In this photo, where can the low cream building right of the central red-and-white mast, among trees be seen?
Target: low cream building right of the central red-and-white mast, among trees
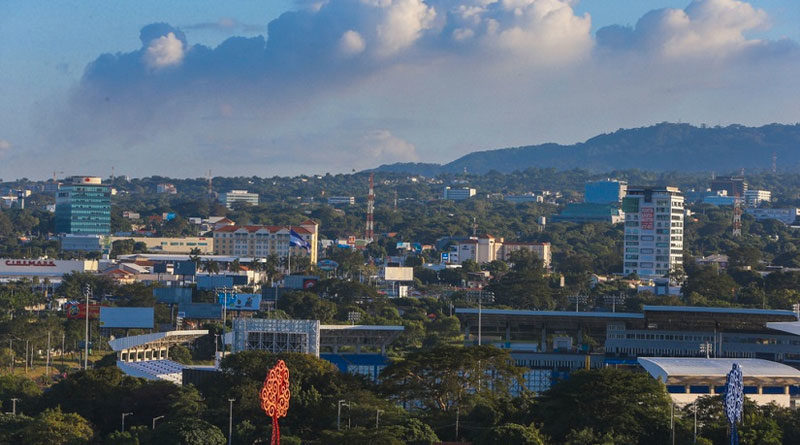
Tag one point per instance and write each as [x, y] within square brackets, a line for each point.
[488, 248]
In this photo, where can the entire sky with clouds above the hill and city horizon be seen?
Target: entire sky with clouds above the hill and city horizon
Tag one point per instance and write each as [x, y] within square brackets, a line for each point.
[351, 84]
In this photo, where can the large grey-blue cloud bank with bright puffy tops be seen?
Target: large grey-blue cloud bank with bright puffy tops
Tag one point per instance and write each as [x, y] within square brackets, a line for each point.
[353, 83]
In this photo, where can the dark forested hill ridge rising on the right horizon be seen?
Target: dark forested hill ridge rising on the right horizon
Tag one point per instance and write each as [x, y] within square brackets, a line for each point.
[662, 147]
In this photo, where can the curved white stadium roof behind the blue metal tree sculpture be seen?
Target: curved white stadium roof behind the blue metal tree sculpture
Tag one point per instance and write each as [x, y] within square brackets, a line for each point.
[687, 371]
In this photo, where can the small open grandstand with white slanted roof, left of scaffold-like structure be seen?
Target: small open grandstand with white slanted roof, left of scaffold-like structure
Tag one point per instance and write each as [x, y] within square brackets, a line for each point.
[147, 355]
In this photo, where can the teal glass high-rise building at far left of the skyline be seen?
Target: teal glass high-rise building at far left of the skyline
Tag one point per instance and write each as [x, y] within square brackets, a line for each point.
[83, 206]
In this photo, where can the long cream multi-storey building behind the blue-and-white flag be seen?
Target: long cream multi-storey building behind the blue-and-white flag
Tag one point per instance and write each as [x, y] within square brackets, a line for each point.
[261, 241]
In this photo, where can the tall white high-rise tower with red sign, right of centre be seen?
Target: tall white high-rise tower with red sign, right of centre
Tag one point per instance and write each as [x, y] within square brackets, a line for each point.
[653, 231]
